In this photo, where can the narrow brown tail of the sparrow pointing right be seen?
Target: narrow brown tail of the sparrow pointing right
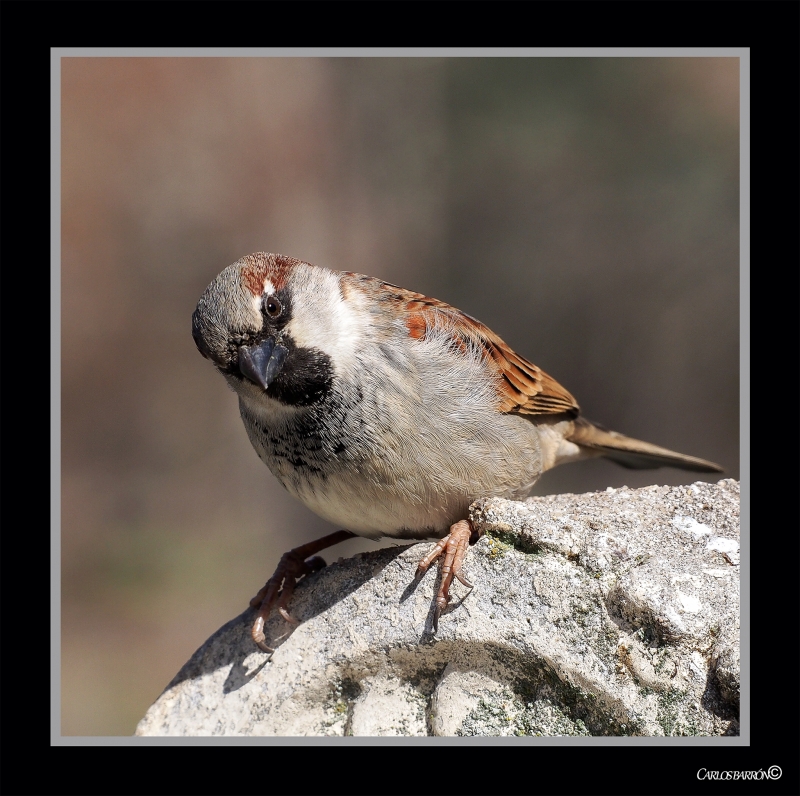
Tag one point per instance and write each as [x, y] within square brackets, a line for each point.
[633, 453]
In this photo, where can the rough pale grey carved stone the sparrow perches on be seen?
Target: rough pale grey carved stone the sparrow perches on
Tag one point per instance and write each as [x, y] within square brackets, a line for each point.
[611, 613]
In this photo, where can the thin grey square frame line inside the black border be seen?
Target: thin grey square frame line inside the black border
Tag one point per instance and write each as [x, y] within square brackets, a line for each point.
[57, 53]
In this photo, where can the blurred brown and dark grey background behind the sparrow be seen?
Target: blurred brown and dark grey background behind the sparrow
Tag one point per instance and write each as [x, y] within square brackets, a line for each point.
[585, 209]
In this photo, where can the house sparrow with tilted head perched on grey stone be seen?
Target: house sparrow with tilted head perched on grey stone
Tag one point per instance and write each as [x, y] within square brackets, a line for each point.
[387, 412]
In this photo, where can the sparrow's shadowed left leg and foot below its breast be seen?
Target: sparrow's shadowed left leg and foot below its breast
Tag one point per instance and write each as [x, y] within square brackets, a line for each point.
[279, 588]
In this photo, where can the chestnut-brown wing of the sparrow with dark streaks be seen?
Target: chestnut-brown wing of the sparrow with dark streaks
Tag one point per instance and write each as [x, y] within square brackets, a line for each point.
[523, 389]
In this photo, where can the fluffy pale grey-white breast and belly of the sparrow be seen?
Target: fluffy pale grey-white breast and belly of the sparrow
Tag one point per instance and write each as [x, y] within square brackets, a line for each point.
[422, 440]
